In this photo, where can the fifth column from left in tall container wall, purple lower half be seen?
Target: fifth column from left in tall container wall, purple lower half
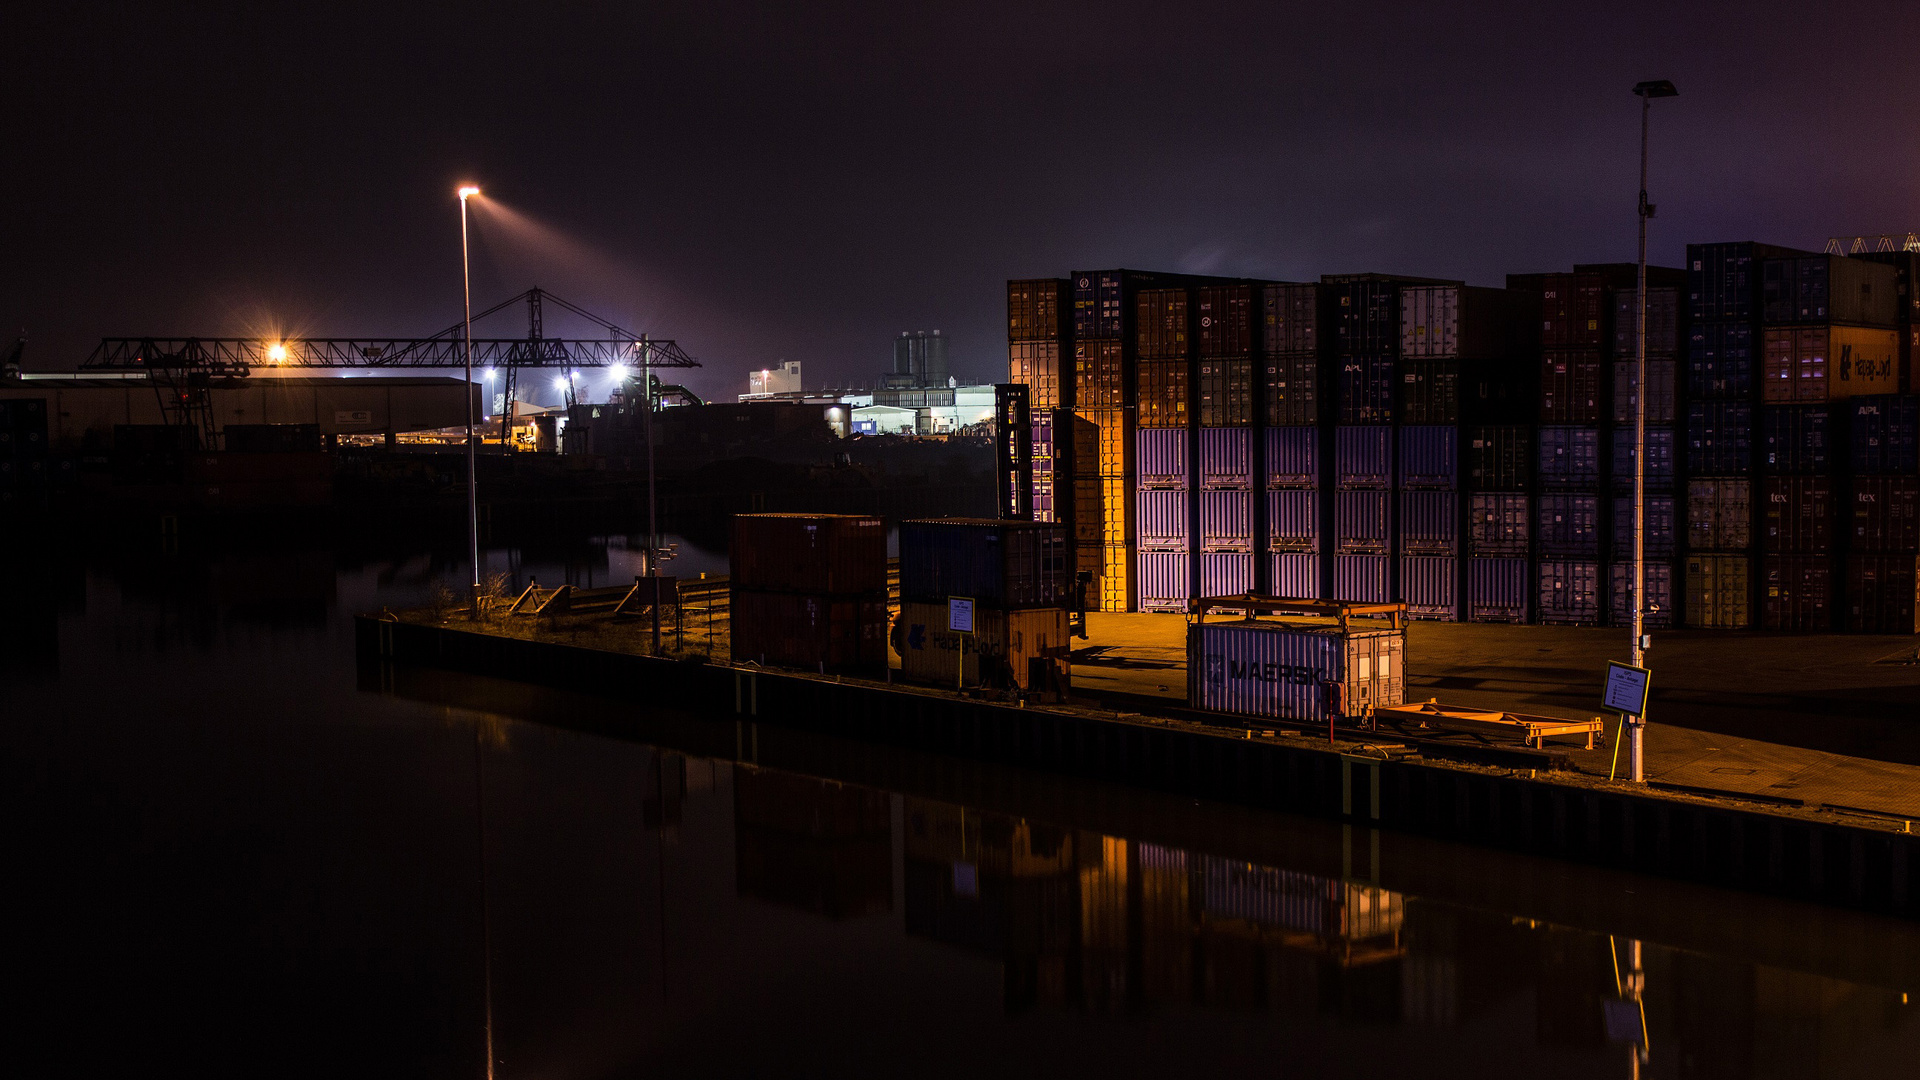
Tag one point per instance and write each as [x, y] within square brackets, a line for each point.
[1291, 405]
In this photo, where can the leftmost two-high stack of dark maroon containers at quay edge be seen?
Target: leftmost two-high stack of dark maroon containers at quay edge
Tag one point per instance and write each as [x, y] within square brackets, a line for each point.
[809, 591]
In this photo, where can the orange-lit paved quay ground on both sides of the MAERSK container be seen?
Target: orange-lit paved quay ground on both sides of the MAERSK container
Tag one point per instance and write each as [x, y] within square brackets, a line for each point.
[1827, 720]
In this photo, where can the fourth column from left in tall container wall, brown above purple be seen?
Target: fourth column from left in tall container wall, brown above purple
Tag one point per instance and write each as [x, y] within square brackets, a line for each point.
[1226, 331]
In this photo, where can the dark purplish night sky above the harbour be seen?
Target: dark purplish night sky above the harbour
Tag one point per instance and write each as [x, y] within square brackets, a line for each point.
[790, 184]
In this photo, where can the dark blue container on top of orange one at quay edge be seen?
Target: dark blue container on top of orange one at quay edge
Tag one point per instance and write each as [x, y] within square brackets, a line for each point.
[999, 564]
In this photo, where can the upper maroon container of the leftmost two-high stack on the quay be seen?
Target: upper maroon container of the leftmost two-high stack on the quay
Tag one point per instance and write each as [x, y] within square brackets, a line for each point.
[811, 552]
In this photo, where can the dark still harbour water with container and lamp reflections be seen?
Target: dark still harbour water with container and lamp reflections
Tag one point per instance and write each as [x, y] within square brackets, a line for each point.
[228, 848]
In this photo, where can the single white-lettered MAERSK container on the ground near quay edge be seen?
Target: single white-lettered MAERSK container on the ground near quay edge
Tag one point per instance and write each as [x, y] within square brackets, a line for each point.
[1289, 672]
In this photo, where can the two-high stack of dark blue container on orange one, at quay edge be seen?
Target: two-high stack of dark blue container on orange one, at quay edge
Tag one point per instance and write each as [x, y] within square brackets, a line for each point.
[1017, 576]
